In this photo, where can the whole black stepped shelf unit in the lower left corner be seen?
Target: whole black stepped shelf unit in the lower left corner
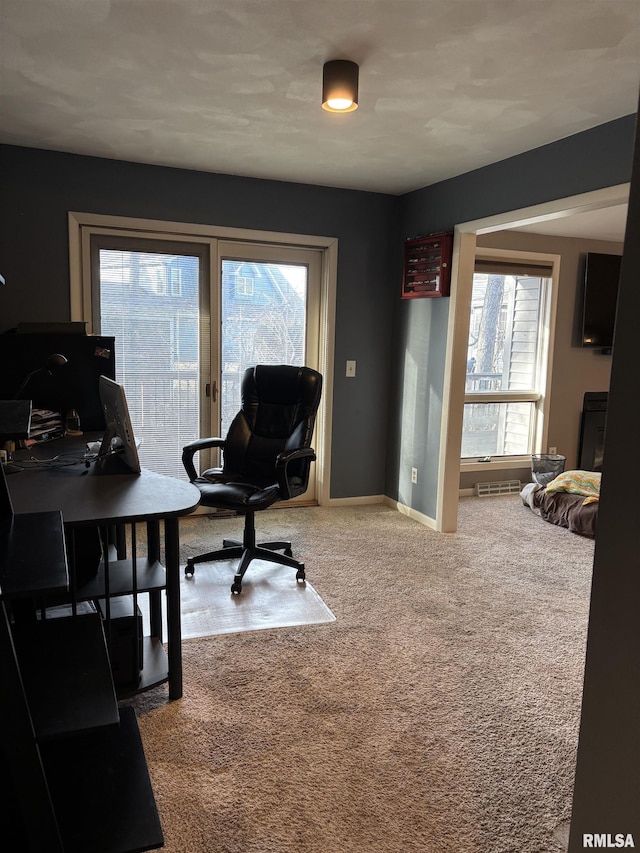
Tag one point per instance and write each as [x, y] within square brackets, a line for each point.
[74, 776]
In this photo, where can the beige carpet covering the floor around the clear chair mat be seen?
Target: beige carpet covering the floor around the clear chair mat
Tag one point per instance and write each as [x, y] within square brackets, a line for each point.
[439, 713]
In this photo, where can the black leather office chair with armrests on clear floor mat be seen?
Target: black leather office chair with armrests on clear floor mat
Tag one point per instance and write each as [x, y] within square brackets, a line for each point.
[266, 458]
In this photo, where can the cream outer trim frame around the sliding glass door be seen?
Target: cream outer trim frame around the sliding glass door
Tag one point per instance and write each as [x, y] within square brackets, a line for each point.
[82, 225]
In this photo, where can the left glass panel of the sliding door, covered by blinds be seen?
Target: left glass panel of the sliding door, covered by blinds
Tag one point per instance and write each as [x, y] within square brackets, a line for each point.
[151, 302]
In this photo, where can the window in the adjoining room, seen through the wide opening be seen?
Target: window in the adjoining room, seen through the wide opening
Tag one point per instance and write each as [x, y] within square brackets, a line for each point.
[507, 357]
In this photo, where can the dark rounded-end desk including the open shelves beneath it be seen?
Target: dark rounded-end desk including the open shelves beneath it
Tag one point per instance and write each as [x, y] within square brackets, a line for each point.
[111, 506]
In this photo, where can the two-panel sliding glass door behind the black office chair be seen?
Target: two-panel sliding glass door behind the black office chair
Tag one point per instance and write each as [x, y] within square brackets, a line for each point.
[188, 318]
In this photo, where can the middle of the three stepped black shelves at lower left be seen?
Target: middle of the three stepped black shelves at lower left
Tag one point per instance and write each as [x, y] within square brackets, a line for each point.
[66, 675]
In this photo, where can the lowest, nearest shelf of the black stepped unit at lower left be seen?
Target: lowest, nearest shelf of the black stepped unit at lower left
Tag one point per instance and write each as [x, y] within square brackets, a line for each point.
[101, 791]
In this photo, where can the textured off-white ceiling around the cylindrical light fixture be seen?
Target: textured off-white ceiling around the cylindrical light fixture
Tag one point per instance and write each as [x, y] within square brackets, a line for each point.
[446, 86]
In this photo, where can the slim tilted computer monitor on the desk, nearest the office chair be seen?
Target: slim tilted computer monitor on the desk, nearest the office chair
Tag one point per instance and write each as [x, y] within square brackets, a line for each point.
[119, 451]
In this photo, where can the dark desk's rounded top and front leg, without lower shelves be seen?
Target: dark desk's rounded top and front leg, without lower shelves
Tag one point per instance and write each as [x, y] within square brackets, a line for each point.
[87, 497]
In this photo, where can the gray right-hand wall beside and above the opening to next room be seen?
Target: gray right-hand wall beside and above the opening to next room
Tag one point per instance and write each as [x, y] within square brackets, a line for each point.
[592, 160]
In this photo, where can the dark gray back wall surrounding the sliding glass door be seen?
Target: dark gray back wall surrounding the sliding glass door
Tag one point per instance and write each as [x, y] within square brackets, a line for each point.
[40, 187]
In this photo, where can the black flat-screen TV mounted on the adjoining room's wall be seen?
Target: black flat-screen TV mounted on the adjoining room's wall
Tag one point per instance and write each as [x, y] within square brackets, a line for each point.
[601, 276]
